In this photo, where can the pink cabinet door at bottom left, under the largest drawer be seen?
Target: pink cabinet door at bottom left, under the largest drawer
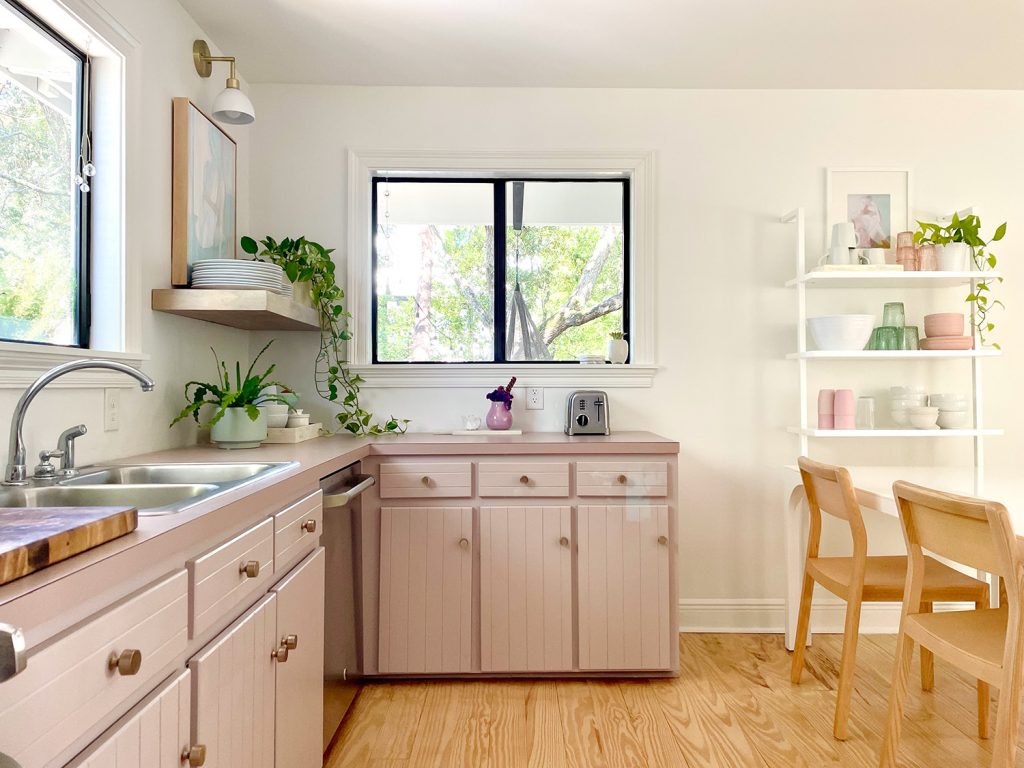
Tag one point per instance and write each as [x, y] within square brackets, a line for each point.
[152, 736]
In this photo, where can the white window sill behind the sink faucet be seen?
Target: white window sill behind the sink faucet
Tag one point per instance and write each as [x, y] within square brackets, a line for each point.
[23, 364]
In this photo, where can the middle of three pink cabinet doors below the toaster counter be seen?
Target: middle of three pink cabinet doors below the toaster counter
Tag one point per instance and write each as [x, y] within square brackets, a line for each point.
[526, 589]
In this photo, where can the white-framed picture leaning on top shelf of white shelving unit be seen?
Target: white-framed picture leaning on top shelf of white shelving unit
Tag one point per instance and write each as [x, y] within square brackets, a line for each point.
[877, 201]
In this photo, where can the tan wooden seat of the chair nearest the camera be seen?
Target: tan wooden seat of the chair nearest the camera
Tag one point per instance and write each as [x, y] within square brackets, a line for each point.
[974, 641]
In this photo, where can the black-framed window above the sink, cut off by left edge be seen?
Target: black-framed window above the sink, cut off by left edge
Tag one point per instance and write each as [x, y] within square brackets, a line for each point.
[45, 266]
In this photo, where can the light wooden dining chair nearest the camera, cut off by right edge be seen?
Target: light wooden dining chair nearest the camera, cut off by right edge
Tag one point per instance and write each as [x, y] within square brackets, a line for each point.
[989, 644]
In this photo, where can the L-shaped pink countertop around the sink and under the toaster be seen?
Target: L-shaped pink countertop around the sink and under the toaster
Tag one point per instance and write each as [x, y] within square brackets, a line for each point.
[162, 541]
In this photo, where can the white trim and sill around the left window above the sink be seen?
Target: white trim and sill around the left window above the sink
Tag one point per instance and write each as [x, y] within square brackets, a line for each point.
[117, 279]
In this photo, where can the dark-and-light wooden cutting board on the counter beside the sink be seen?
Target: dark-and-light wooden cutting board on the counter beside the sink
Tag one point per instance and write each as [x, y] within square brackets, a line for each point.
[36, 537]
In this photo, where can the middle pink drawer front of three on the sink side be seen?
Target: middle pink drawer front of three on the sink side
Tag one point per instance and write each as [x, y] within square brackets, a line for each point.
[218, 581]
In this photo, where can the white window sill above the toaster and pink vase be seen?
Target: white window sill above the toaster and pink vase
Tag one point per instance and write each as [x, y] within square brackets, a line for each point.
[477, 375]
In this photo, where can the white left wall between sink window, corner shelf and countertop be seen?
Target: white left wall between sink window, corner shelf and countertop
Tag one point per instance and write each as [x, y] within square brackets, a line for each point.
[179, 348]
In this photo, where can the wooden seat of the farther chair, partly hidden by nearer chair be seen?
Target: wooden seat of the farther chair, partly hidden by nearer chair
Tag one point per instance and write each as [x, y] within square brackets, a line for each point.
[885, 580]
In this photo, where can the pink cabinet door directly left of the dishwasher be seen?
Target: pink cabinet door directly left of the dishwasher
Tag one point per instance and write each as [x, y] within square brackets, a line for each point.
[300, 740]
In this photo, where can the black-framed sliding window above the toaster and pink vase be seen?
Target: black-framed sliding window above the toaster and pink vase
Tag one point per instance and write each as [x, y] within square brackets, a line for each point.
[499, 270]
